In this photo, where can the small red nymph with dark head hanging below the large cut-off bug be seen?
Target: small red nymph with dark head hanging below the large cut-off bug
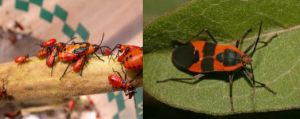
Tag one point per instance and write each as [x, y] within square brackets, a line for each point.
[118, 81]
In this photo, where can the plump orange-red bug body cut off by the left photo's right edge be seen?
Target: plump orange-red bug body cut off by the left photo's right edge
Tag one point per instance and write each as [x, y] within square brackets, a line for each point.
[133, 59]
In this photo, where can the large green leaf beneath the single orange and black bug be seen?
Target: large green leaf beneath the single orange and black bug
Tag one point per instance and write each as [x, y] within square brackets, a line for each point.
[277, 64]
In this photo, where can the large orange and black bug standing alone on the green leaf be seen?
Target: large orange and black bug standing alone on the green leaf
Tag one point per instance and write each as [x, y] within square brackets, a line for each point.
[204, 57]
